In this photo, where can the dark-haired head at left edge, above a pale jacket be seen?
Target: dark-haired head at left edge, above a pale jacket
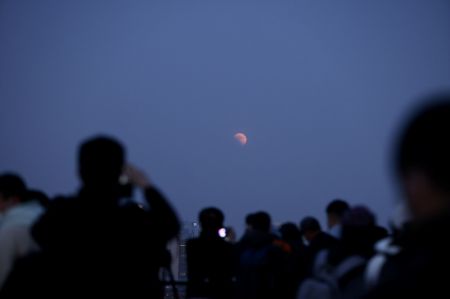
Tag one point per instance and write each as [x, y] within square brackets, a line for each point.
[12, 191]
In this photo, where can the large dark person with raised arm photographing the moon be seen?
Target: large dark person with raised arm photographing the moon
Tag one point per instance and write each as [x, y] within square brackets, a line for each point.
[98, 244]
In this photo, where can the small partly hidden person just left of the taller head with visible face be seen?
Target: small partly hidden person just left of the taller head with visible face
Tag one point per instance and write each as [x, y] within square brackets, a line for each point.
[316, 238]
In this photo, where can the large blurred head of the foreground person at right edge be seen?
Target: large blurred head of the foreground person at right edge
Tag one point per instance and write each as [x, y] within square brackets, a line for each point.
[422, 158]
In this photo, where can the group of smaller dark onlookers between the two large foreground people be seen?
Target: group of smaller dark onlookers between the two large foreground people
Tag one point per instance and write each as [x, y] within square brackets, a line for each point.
[284, 262]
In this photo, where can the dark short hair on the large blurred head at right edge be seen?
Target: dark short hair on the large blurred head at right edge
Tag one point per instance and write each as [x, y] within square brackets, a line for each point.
[423, 143]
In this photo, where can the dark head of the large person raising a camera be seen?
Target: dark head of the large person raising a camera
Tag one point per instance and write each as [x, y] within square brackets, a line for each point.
[100, 162]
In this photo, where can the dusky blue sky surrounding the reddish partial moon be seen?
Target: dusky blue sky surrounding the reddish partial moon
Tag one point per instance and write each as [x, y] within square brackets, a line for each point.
[318, 86]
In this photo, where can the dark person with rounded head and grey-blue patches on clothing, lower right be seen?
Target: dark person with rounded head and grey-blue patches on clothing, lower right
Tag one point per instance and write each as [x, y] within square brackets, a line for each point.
[340, 269]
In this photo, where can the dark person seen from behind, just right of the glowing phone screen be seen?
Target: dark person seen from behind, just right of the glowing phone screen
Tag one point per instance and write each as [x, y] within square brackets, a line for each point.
[262, 261]
